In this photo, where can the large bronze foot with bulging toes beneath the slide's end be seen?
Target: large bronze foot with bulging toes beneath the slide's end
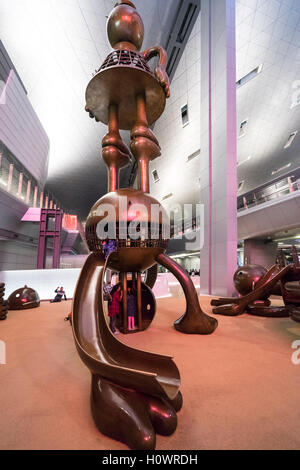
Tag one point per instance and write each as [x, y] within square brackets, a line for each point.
[131, 417]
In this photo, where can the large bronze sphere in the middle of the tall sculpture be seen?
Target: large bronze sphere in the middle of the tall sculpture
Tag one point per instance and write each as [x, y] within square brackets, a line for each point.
[129, 255]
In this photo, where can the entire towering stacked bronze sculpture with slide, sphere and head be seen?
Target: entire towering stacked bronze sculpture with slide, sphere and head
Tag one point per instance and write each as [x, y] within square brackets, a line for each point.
[135, 394]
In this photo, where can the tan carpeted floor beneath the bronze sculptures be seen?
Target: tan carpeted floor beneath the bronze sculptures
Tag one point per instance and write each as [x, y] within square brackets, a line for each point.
[240, 387]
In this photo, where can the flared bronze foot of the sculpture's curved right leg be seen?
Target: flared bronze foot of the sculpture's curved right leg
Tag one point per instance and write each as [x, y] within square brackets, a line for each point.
[194, 322]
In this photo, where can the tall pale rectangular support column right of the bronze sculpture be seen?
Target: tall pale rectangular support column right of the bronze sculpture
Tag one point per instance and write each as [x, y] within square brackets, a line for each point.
[218, 147]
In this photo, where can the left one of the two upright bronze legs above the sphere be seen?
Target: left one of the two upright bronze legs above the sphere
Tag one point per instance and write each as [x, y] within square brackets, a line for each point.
[115, 153]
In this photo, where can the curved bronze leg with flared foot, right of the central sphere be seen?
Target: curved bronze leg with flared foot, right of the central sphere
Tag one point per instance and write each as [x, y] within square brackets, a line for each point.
[194, 321]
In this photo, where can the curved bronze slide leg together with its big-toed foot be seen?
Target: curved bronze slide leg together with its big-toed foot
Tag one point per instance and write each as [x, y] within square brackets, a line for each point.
[125, 381]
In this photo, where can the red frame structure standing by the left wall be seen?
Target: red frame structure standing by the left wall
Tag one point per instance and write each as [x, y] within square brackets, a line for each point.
[50, 229]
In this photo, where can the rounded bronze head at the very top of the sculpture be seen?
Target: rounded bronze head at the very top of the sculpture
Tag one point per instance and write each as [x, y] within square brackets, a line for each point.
[125, 28]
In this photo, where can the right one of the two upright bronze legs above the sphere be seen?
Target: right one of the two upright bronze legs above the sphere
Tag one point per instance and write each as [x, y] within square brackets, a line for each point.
[144, 144]
